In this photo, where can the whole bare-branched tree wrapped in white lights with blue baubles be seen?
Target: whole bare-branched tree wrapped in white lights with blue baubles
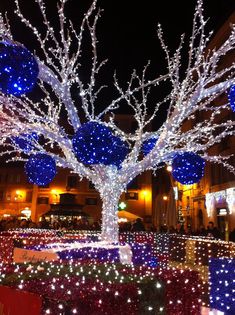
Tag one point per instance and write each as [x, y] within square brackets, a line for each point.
[88, 142]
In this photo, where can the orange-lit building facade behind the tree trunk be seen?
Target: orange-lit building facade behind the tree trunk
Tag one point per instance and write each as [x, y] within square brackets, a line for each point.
[16, 195]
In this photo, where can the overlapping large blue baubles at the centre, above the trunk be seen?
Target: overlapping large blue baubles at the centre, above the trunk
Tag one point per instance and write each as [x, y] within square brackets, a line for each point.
[94, 143]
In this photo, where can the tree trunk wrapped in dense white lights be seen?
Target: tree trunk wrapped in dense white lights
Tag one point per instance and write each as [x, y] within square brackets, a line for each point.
[110, 229]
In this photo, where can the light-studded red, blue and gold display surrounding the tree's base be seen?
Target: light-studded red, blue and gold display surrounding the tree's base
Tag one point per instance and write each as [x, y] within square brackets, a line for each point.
[167, 275]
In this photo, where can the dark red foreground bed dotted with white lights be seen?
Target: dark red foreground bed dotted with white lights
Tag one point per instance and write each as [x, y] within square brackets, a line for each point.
[88, 288]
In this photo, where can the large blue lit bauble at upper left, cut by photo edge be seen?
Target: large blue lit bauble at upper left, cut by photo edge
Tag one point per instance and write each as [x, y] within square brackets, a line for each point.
[18, 69]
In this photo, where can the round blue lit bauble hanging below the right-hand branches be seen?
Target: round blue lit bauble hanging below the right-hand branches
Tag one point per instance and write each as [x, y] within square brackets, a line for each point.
[188, 168]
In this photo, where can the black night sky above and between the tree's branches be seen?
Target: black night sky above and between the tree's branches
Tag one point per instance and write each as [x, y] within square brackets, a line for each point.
[127, 29]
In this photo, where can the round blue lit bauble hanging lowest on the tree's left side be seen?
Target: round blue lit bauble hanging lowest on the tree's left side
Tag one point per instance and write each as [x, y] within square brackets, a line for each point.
[40, 169]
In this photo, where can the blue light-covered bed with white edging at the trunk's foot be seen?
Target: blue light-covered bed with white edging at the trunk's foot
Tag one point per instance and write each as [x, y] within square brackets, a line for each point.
[138, 254]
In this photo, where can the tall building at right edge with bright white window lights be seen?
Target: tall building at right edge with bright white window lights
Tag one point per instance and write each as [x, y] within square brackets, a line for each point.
[213, 198]
